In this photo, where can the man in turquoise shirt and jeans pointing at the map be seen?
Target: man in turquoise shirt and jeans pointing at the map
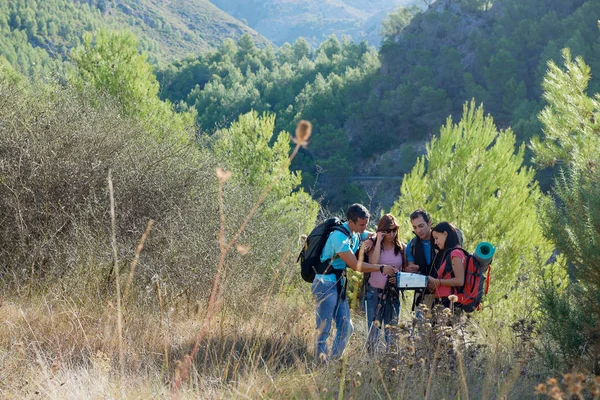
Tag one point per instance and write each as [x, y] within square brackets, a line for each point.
[329, 289]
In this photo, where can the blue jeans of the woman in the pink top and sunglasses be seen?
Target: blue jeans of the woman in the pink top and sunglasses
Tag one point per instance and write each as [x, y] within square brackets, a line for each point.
[385, 310]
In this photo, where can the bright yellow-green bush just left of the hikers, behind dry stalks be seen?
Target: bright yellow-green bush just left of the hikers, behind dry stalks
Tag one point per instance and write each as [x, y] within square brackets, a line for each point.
[258, 159]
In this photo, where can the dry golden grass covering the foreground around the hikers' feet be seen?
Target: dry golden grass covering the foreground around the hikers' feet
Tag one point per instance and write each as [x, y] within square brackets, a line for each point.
[67, 348]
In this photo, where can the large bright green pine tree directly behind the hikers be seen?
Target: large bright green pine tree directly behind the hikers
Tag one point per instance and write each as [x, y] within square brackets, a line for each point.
[473, 178]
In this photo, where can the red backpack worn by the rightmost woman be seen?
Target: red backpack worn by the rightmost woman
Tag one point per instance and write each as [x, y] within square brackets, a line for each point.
[477, 282]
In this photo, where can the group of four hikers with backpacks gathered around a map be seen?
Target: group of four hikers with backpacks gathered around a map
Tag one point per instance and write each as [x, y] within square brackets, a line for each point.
[433, 264]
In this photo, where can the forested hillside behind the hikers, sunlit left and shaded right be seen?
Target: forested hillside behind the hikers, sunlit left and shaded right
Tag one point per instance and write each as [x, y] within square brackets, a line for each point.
[372, 114]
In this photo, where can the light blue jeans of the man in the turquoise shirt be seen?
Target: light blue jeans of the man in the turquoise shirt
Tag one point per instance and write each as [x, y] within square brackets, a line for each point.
[330, 307]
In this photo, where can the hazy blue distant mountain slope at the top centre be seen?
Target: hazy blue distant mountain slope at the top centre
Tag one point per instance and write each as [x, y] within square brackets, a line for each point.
[314, 20]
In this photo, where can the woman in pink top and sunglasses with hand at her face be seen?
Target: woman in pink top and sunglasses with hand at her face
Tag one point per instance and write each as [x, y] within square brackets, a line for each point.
[381, 296]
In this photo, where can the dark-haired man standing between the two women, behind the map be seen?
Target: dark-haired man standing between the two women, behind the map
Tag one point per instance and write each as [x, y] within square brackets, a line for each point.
[420, 253]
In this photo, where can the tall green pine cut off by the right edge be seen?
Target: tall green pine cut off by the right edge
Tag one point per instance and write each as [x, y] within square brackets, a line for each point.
[571, 215]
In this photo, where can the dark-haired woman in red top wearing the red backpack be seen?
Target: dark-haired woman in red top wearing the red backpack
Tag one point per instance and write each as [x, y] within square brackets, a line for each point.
[449, 265]
